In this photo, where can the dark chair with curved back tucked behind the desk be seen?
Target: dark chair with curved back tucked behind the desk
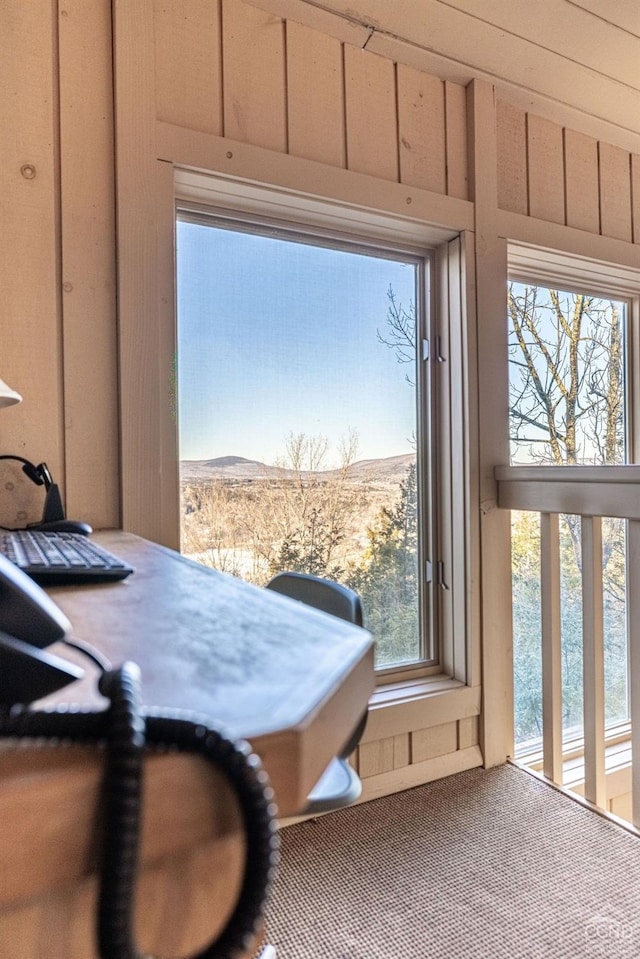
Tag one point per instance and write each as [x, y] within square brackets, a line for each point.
[340, 784]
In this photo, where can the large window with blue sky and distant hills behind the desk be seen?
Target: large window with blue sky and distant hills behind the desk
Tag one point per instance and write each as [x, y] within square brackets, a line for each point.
[305, 409]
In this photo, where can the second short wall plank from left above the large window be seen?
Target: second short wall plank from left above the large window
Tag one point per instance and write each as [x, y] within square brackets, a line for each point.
[254, 72]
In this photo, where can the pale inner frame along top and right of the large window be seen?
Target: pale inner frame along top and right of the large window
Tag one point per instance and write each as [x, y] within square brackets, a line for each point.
[205, 195]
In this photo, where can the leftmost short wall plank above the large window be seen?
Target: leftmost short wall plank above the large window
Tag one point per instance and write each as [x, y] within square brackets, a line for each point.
[188, 64]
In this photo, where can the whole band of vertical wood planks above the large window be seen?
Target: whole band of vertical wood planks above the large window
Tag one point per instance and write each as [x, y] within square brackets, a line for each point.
[230, 68]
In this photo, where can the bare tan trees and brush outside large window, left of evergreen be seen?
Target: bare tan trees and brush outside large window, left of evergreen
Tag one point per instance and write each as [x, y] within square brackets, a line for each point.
[304, 516]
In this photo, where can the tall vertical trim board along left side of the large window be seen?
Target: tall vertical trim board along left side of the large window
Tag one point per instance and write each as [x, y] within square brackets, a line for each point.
[142, 386]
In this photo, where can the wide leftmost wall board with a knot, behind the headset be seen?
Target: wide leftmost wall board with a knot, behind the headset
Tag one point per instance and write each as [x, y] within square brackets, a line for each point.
[31, 360]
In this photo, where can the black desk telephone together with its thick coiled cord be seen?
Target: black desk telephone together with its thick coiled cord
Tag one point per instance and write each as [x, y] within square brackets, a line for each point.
[29, 621]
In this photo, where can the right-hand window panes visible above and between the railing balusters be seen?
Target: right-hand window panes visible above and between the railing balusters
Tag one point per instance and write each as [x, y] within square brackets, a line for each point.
[569, 405]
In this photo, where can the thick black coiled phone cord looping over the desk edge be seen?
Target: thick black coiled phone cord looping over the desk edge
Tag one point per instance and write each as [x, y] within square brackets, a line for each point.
[127, 730]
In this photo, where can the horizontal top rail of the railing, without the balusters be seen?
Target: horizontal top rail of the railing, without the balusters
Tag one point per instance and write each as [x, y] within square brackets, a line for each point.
[582, 490]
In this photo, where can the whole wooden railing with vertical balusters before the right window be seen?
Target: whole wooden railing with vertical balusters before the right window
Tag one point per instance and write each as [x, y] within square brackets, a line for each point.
[590, 492]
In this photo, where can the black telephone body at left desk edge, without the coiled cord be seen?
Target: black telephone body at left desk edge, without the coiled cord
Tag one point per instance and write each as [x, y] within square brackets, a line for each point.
[29, 620]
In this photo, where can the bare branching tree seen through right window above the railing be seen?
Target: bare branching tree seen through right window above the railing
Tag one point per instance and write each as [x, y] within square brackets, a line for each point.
[566, 389]
